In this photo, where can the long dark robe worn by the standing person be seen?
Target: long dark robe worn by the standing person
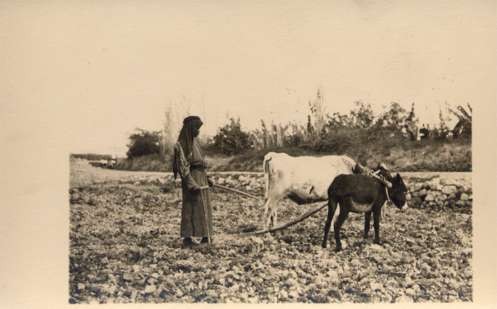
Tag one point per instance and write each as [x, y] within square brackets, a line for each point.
[196, 213]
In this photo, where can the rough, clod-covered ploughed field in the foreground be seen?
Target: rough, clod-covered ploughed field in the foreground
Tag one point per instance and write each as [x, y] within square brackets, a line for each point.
[125, 247]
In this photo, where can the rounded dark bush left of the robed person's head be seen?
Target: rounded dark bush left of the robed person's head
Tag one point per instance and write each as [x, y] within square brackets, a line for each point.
[143, 142]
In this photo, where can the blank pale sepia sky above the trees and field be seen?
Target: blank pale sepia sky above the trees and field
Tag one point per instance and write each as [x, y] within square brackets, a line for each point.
[89, 72]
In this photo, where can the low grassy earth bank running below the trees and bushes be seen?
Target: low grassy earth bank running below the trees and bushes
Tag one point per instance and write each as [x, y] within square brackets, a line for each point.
[453, 156]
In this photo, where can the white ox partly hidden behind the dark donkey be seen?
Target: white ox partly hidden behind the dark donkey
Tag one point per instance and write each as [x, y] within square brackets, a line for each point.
[303, 179]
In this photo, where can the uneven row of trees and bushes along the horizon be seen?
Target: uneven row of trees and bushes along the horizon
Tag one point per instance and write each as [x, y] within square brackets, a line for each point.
[323, 132]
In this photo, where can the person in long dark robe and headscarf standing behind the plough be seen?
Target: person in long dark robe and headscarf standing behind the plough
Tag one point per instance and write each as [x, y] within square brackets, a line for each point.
[189, 163]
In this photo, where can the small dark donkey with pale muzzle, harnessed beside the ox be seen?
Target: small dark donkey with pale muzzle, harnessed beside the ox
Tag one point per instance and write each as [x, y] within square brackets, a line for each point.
[362, 194]
